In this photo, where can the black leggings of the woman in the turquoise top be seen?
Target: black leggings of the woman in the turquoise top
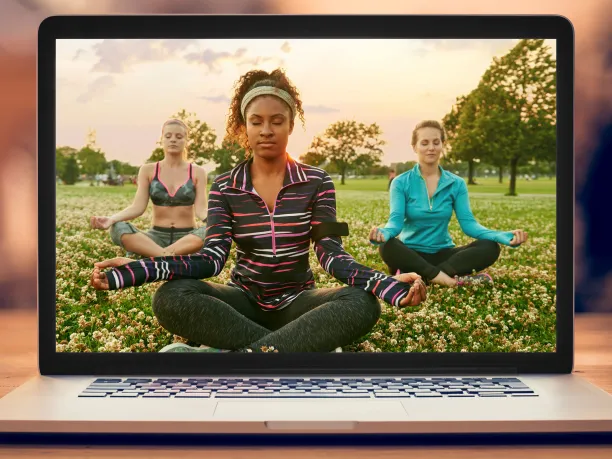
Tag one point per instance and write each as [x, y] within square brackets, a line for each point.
[456, 261]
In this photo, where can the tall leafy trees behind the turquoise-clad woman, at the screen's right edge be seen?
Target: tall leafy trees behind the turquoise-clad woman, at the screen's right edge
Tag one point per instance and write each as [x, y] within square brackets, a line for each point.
[509, 119]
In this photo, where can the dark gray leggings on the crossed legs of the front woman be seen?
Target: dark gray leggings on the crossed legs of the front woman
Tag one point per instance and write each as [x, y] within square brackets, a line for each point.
[224, 317]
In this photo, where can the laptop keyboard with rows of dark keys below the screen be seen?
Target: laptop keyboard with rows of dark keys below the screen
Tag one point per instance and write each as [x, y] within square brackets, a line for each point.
[306, 388]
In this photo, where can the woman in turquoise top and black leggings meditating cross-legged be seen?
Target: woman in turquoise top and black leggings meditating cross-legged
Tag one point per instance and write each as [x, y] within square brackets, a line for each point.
[416, 237]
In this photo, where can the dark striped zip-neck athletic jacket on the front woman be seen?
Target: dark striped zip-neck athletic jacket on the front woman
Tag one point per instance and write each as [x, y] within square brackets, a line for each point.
[272, 264]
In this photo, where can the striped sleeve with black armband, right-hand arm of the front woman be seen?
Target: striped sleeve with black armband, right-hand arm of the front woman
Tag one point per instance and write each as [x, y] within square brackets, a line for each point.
[333, 258]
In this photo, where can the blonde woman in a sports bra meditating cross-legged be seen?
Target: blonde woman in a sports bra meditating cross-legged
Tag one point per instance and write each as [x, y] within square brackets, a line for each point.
[177, 189]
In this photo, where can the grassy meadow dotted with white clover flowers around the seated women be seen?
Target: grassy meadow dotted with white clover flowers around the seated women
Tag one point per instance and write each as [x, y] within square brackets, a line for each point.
[517, 314]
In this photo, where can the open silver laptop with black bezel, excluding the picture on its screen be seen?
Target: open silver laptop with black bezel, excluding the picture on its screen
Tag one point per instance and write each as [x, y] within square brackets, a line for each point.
[362, 393]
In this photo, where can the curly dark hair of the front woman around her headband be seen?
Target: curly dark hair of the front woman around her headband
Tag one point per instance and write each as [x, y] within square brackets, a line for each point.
[236, 124]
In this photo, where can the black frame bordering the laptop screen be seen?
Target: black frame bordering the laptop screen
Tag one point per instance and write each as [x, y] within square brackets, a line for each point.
[304, 26]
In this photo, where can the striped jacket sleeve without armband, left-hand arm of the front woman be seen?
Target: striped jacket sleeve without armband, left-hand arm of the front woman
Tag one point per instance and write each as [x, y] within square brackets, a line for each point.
[208, 262]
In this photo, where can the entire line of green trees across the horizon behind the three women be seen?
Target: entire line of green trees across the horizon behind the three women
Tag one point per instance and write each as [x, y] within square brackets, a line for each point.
[507, 123]
